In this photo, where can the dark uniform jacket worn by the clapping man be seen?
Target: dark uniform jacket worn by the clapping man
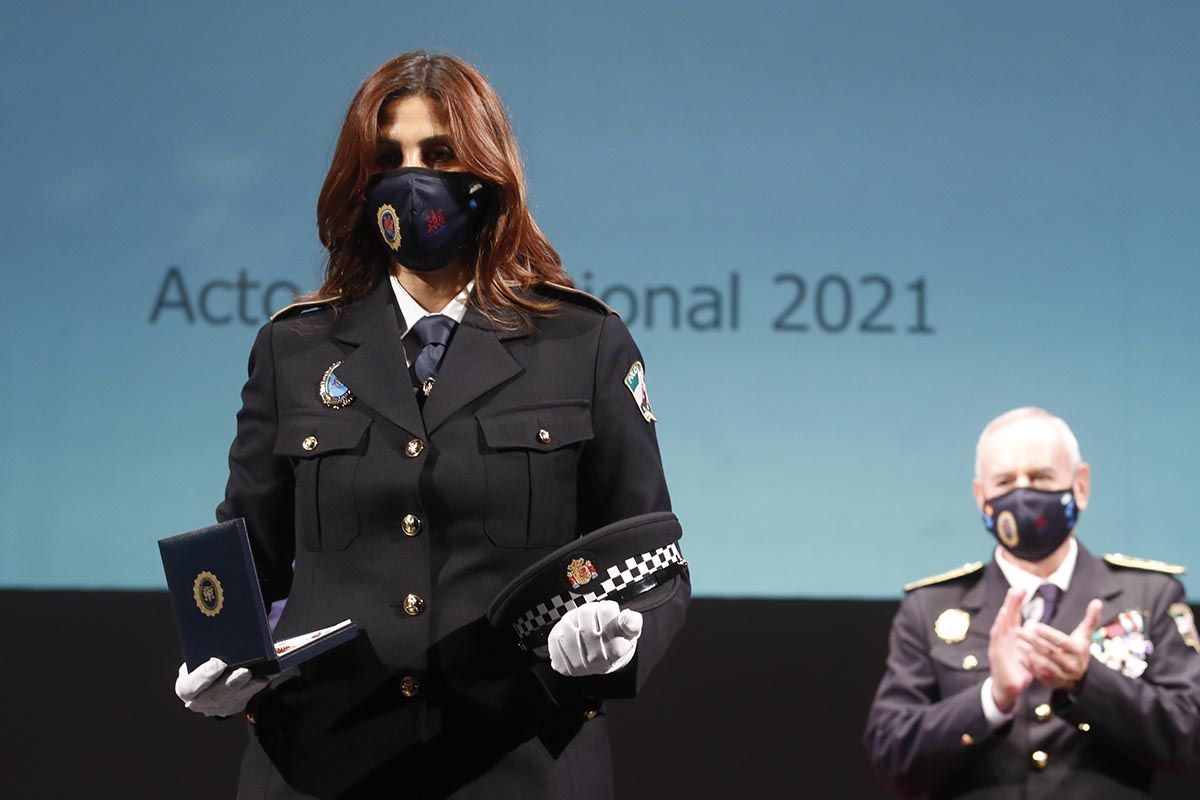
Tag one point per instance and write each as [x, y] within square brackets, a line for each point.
[927, 731]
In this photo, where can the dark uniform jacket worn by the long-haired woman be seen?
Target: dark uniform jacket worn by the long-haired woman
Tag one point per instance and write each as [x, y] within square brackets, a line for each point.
[410, 521]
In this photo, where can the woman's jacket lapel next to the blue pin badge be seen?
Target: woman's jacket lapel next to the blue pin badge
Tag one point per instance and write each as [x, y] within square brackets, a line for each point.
[375, 371]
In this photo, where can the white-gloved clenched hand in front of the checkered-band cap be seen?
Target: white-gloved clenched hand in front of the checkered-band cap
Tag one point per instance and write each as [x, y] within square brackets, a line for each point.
[595, 640]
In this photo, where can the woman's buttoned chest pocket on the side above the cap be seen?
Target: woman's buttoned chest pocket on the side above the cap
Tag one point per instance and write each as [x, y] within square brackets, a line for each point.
[531, 460]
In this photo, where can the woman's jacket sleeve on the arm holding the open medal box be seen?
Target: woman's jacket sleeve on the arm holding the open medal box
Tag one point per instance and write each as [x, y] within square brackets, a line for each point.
[261, 484]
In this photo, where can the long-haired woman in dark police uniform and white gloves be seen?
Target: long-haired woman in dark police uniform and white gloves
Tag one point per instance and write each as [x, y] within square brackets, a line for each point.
[399, 467]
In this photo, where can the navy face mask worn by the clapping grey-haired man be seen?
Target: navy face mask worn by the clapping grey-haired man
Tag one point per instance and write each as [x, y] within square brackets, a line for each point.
[1031, 524]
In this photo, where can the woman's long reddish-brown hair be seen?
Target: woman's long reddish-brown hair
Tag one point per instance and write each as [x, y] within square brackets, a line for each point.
[512, 252]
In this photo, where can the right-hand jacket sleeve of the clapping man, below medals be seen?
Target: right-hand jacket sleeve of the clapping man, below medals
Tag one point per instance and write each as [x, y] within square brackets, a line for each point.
[1154, 719]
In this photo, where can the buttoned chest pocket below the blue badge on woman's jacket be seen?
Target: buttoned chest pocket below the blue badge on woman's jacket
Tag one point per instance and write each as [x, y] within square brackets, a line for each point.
[326, 452]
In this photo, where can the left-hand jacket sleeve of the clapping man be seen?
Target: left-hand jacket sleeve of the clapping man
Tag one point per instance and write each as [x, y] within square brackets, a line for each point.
[914, 736]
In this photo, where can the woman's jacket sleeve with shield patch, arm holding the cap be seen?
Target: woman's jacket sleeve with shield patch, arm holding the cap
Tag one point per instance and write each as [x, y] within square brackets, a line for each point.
[621, 476]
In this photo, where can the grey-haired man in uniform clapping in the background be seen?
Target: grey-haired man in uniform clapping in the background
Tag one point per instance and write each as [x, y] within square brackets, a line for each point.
[1048, 672]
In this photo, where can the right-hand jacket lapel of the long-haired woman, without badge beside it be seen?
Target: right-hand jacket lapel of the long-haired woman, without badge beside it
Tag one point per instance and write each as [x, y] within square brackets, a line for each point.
[475, 363]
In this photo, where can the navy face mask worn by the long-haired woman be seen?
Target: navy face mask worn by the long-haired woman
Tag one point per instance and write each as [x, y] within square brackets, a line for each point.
[425, 216]
